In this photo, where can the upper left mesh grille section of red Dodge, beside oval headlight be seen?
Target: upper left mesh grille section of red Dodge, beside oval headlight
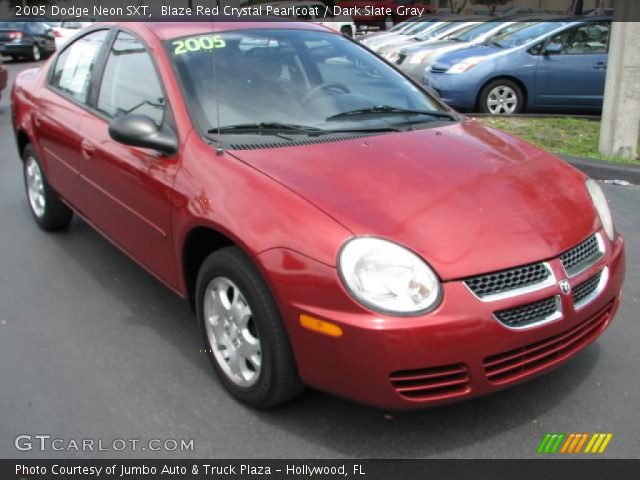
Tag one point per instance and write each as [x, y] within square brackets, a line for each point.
[496, 283]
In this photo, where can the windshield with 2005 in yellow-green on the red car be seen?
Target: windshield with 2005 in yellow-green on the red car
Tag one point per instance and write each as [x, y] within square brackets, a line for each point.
[296, 77]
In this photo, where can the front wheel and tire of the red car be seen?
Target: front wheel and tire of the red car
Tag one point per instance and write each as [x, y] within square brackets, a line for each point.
[269, 375]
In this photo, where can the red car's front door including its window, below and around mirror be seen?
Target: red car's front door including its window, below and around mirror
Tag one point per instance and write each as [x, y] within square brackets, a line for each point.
[128, 188]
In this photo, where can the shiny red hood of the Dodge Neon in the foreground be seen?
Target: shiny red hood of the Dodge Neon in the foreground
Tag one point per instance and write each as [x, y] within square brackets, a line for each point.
[465, 197]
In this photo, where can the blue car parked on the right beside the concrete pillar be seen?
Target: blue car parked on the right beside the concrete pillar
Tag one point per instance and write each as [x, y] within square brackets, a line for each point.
[547, 65]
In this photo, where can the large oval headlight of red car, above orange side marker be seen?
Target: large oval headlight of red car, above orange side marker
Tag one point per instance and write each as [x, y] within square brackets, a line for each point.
[387, 277]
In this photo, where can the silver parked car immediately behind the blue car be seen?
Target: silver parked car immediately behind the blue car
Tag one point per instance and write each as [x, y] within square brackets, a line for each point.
[413, 59]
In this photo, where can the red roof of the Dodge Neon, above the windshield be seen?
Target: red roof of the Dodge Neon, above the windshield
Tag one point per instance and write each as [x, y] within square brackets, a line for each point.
[169, 30]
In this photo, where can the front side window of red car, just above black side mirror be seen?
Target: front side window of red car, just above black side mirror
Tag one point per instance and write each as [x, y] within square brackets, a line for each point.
[130, 83]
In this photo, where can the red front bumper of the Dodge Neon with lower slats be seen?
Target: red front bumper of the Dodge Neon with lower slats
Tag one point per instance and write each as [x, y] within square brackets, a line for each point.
[456, 352]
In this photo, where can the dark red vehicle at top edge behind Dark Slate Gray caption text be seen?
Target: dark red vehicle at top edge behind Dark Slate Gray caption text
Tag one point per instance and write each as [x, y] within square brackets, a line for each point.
[385, 13]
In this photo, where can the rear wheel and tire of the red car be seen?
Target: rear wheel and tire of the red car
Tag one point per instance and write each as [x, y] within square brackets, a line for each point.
[49, 212]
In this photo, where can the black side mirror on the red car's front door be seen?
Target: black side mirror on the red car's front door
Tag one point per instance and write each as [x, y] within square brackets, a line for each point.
[140, 131]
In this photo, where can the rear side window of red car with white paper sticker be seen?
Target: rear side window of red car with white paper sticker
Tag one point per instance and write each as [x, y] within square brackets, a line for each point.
[73, 69]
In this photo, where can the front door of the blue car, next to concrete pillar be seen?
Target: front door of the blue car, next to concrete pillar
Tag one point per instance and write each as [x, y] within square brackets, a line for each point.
[576, 76]
